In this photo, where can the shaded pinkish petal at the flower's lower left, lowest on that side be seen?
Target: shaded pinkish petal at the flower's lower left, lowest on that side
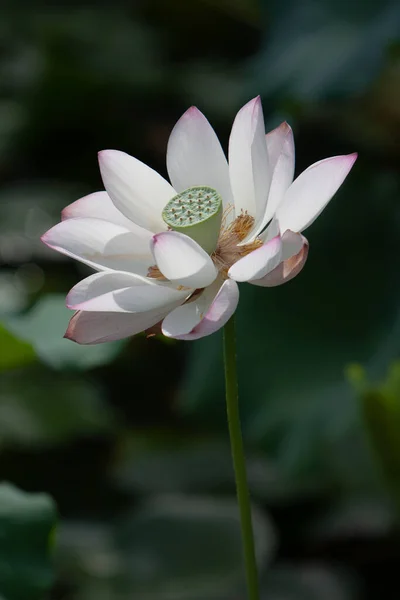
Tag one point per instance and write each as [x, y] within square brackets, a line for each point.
[97, 327]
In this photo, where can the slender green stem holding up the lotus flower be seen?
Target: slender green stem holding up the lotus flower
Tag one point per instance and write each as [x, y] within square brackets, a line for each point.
[239, 463]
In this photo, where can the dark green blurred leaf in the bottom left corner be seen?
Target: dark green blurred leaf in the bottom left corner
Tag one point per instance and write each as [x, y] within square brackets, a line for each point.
[27, 523]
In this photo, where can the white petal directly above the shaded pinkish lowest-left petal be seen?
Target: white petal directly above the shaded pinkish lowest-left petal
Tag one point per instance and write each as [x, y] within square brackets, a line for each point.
[117, 291]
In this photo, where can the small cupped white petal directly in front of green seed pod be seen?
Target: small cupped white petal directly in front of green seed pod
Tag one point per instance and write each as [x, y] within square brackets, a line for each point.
[182, 261]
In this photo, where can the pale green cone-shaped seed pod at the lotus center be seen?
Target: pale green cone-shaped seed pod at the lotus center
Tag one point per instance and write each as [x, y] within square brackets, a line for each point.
[196, 212]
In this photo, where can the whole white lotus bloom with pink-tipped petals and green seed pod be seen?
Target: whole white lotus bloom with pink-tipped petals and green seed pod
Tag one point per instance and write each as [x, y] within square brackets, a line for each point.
[148, 271]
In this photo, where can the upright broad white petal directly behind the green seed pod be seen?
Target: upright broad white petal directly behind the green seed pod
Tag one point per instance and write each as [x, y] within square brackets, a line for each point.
[195, 156]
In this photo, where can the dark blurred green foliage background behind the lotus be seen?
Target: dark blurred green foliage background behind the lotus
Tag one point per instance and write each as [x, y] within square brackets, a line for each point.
[130, 438]
